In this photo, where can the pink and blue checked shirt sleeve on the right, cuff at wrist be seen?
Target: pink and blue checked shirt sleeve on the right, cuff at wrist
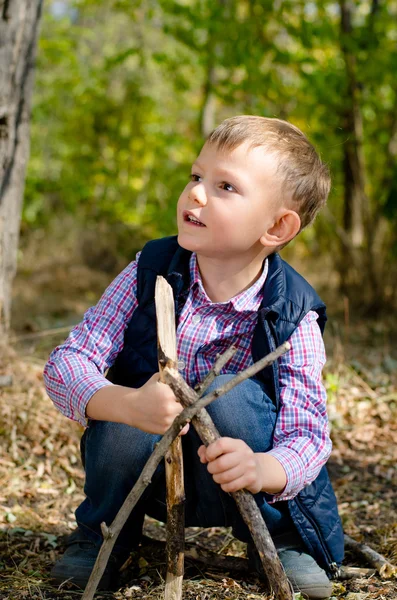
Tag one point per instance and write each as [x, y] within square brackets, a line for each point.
[301, 438]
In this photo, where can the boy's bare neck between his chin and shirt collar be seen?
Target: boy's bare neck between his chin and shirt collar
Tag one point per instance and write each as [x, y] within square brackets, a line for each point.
[223, 280]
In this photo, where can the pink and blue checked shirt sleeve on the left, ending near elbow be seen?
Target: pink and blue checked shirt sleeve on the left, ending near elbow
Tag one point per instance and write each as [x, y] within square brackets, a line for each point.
[75, 370]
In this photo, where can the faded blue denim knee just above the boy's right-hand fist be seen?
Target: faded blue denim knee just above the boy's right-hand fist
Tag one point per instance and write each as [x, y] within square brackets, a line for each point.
[245, 412]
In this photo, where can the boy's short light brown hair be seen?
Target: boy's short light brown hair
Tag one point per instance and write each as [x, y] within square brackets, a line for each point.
[302, 173]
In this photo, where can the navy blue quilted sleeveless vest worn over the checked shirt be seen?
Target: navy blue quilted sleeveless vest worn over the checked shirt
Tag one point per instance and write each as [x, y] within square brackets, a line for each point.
[287, 298]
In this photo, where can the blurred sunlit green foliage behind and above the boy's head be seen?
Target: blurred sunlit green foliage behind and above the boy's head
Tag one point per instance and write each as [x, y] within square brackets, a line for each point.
[121, 88]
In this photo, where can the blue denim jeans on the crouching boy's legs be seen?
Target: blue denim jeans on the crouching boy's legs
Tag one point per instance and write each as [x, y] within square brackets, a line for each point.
[115, 454]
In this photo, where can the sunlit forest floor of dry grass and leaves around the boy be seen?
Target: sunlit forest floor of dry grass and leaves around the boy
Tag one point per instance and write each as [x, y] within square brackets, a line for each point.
[42, 477]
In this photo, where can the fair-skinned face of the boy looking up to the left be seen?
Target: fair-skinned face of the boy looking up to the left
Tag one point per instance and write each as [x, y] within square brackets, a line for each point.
[233, 198]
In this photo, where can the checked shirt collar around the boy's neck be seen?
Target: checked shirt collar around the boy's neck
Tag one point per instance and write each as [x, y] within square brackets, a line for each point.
[249, 300]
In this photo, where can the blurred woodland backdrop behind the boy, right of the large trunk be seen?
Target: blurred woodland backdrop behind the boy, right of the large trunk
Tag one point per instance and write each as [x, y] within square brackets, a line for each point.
[125, 94]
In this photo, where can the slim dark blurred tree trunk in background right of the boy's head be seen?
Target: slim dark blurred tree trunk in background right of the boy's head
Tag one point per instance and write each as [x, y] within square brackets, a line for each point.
[360, 222]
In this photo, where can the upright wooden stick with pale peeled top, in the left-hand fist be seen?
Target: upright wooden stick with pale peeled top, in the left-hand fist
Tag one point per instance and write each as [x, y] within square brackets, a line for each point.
[166, 340]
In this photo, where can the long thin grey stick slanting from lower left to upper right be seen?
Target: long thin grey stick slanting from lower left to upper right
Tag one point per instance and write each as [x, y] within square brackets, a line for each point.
[111, 533]
